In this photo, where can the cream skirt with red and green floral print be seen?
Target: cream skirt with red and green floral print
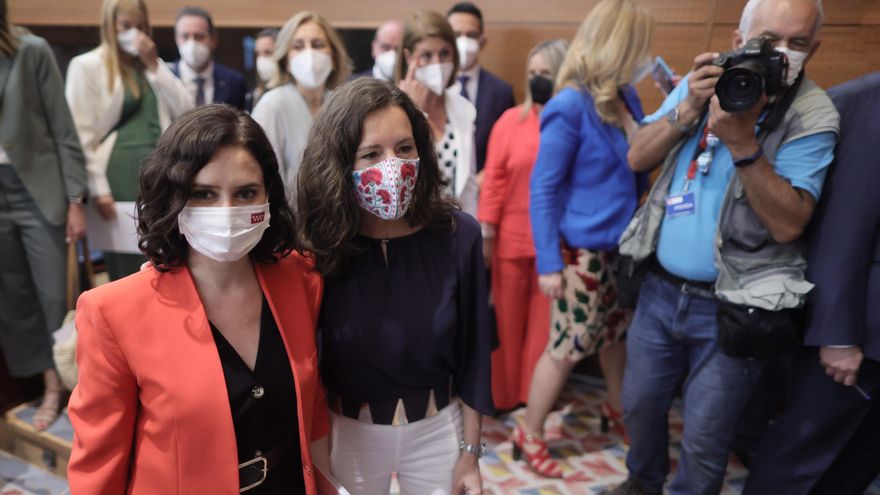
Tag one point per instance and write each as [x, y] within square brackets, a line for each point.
[587, 318]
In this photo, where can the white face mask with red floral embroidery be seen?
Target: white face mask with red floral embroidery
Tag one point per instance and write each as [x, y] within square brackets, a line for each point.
[385, 189]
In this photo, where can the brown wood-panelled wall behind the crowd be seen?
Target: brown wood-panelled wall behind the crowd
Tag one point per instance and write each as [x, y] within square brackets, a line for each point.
[685, 28]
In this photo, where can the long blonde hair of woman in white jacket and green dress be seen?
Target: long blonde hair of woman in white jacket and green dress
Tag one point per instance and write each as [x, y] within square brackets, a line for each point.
[109, 10]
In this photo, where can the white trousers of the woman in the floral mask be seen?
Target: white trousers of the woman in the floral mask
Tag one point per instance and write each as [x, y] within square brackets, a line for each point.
[423, 454]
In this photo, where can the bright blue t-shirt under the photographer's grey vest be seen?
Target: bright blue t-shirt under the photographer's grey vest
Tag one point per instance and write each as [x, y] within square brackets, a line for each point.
[686, 244]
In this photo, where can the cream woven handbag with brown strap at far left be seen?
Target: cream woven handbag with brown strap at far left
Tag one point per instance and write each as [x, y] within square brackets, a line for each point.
[64, 348]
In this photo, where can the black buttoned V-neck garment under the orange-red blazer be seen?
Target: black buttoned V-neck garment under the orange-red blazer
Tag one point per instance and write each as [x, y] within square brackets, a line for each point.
[263, 403]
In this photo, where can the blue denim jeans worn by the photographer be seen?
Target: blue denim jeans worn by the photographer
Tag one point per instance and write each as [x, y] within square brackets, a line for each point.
[672, 334]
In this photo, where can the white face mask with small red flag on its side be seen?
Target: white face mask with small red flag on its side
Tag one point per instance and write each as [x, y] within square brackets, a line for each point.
[223, 233]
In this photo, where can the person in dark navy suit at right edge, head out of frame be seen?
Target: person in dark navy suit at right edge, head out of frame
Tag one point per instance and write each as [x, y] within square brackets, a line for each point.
[828, 441]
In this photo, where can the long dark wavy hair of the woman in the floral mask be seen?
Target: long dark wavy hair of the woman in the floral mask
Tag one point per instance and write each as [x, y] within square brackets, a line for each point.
[327, 208]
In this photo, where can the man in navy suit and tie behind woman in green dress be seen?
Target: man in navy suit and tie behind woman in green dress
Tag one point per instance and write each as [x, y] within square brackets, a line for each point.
[208, 81]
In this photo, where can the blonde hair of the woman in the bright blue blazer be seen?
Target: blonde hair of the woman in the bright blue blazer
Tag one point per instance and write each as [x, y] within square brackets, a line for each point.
[613, 39]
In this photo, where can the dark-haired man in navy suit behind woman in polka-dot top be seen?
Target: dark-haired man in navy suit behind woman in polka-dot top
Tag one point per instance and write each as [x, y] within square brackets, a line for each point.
[489, 94]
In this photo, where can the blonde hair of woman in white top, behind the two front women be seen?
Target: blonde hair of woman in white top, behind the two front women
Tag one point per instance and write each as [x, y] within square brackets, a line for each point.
[284, 41]
